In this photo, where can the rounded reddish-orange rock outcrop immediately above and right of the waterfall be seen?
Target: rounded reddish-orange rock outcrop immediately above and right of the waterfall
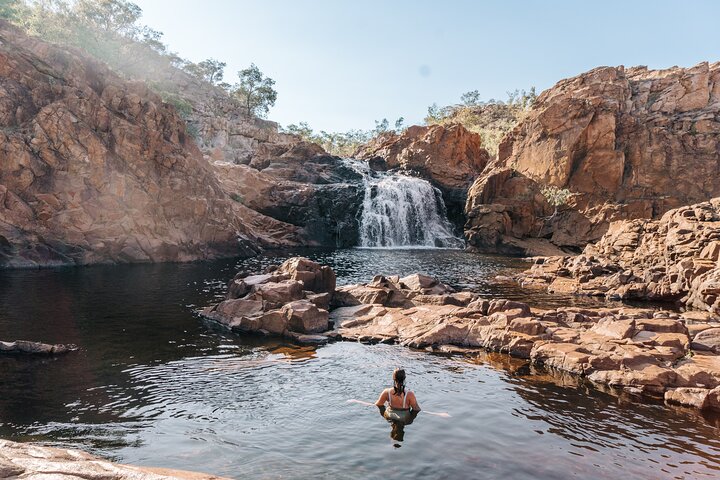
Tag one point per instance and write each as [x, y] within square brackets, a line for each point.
[450, 157]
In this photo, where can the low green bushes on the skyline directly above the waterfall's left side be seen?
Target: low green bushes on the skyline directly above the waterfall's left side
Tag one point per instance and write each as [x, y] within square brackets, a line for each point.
[343, 144]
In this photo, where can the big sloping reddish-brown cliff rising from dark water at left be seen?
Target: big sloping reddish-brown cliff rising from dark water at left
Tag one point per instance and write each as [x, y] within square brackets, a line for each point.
[97, 169]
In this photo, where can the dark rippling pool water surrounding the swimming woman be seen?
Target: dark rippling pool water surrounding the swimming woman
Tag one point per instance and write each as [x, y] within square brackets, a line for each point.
[155, 385]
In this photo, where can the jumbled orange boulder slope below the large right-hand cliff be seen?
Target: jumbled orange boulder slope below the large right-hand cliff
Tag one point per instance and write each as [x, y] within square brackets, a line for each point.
[658, 260]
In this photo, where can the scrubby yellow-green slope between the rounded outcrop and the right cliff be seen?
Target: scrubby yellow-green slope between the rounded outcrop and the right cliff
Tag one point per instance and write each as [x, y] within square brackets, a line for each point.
[491, 119]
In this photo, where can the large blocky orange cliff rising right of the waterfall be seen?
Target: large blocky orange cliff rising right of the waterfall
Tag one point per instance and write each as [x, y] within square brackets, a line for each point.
[629, 143]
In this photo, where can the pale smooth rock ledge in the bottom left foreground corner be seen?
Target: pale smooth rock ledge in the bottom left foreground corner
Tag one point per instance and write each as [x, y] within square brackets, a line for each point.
[27, 460]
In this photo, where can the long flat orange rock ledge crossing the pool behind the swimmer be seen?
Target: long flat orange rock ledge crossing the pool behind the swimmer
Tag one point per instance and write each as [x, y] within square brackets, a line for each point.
[645, 352]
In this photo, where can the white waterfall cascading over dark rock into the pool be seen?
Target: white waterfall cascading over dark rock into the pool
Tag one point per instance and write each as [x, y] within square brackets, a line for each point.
[402, 211]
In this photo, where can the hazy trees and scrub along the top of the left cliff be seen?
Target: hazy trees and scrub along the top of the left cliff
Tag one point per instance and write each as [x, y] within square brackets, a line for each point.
[111, 31]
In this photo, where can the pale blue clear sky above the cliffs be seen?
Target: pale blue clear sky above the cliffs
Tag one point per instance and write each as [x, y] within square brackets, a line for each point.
[341, 64]
